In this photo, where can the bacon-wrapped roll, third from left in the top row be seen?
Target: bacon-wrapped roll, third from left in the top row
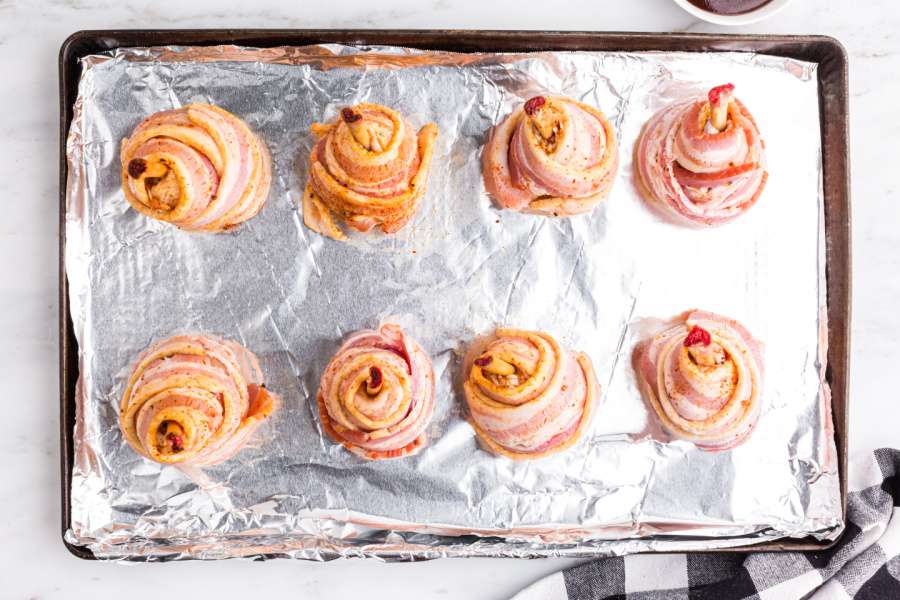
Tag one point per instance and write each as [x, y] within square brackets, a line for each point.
[551, 156]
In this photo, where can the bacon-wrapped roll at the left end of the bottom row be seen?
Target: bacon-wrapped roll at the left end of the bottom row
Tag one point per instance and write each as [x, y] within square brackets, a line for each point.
[193, 399]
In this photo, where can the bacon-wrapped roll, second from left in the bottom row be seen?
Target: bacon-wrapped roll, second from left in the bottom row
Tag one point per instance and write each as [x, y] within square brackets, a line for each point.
[376, 396]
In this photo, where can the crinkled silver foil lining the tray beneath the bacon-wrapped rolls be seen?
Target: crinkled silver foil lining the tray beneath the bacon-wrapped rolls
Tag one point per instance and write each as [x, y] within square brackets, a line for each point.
[460, 268]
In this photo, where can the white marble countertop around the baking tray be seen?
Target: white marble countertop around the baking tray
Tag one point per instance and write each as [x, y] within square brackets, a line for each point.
[33, 561]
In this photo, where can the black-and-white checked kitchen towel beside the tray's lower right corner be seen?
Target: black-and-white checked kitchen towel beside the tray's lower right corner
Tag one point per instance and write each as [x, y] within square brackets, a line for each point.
[864, 565]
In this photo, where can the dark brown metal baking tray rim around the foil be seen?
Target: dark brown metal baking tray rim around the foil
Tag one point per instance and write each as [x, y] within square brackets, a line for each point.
[833, 103]
